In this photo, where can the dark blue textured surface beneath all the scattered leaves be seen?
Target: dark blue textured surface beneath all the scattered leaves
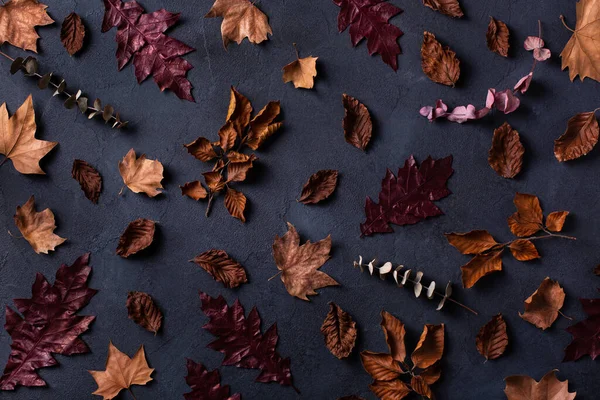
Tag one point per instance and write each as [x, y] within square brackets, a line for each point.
[312, 139]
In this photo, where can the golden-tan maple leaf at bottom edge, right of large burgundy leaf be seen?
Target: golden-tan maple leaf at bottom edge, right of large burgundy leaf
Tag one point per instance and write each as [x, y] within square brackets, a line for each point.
[121, 372]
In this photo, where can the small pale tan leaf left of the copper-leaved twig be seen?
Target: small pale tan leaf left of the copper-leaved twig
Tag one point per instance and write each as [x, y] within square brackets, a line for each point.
[141, 175]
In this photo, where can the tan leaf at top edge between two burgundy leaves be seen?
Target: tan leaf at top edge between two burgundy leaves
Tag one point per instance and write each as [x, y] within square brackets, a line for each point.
[241, 19]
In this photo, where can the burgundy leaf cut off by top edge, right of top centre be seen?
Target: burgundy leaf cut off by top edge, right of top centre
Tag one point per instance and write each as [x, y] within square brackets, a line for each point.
[369, 19]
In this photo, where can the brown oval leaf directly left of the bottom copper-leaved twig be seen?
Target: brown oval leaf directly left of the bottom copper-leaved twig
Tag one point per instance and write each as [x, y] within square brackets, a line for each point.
[340, 331]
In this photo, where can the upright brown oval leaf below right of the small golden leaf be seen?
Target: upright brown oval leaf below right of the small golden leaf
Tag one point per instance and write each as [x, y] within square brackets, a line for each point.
[357, 124]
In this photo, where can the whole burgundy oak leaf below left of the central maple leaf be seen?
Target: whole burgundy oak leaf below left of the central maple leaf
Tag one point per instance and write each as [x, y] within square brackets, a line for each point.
[240, 339]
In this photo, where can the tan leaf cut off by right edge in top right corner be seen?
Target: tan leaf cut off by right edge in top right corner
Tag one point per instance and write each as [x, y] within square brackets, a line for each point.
[581, 54]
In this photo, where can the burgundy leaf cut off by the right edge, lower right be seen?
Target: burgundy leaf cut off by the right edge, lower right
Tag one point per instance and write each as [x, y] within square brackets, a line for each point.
[586, 334]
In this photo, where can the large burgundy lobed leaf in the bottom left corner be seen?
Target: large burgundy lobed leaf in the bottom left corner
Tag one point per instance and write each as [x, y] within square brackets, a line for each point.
[48, 324]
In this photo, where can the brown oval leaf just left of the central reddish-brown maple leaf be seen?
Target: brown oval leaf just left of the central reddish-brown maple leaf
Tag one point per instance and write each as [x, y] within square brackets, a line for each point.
[222, 268]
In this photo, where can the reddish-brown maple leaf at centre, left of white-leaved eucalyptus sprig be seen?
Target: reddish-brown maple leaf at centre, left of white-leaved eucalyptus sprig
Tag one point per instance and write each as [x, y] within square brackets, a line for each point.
[299, 265]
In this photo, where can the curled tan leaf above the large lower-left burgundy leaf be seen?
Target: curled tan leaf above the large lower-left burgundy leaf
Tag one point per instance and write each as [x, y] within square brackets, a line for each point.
[37, 227]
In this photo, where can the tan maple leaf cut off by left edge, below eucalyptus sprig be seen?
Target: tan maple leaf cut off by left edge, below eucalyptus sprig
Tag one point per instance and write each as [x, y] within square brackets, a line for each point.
[17, 138]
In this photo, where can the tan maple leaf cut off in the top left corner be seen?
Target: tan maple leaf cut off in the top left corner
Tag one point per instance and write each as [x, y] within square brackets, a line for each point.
[18, 19]
